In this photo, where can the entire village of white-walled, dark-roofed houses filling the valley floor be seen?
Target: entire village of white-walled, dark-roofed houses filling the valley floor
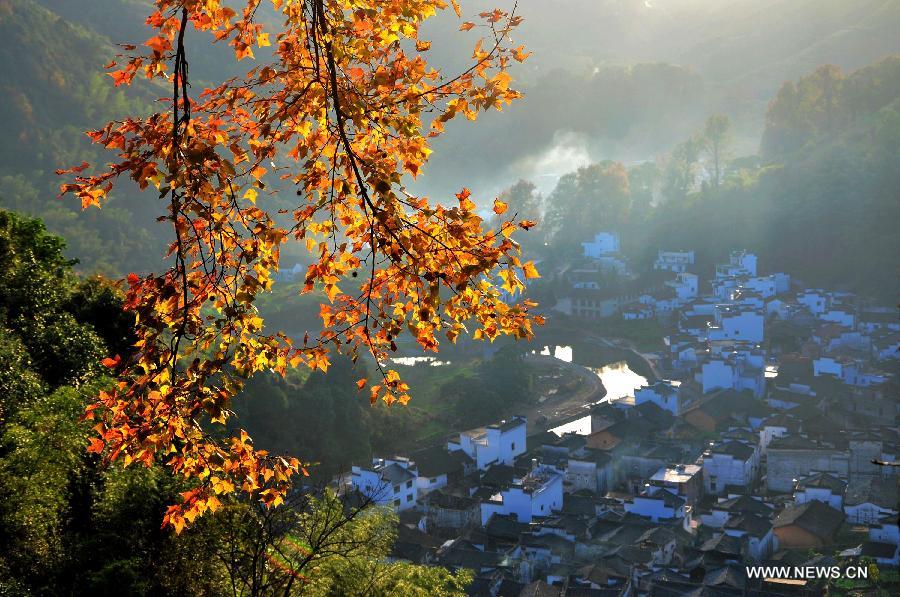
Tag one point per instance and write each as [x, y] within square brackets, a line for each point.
[762, 439]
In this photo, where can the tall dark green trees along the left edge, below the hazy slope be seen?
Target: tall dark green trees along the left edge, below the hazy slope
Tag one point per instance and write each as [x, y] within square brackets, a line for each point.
[67, 526]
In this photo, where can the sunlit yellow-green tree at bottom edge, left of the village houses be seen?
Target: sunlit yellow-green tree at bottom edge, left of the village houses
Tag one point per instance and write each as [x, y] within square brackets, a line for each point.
[318, 544]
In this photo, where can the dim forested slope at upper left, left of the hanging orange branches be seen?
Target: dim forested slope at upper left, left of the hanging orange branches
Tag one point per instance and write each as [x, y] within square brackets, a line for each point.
[54, 87]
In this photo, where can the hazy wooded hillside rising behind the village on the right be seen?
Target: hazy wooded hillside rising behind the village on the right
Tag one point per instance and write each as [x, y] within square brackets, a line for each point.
[826, 177]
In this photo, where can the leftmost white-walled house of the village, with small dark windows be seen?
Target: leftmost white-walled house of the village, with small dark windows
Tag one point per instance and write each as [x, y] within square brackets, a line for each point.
[388, 482]
